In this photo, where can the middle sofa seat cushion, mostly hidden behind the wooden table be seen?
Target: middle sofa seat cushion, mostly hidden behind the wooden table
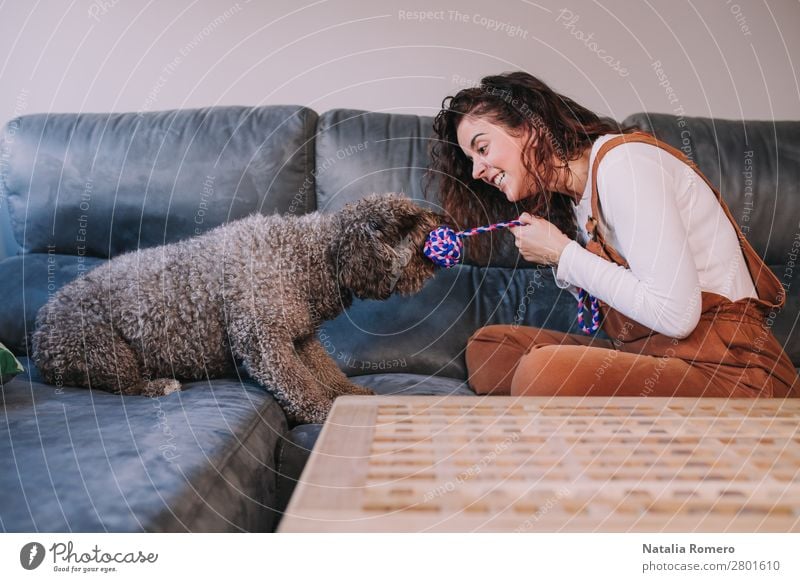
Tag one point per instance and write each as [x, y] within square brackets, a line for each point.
[295, 448]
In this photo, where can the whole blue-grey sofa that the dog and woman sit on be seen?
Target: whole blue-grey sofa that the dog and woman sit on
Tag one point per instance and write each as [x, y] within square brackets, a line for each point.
[220, 455]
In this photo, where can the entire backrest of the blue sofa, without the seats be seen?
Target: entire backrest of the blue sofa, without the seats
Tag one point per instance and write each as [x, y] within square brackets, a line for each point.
[147, 176]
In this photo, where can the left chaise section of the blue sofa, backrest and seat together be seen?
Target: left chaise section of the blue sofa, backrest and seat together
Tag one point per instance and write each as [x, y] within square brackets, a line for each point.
[84, 187]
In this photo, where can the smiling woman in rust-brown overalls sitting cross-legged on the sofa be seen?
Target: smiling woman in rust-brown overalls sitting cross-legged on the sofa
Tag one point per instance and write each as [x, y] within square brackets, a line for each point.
[630, 221]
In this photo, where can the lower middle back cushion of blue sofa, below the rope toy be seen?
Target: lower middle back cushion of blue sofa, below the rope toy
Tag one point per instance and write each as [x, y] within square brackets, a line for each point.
[427, 333]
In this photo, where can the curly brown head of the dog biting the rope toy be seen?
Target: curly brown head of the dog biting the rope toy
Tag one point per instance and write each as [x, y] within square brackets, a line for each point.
[380, 250]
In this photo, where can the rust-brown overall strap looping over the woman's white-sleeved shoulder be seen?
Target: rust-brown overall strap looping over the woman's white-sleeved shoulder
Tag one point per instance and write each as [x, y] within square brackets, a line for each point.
[767, 285]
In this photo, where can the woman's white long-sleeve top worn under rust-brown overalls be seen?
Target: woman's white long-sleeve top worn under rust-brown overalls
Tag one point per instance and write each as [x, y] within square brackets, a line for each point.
[667, 224]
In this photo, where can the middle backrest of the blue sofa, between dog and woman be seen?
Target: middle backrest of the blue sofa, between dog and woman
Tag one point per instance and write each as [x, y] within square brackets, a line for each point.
[359, 152]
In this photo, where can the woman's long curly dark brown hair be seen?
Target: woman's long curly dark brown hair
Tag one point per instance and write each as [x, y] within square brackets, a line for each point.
[525, 107]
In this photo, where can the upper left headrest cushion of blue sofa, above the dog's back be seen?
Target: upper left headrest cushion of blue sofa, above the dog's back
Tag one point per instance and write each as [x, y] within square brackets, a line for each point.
[102, 184]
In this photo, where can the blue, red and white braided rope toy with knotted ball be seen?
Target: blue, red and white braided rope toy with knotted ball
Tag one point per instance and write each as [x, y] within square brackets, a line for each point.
[445, 248]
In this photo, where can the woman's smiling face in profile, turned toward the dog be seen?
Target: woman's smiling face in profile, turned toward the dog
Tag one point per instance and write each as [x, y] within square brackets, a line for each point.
[496, 156]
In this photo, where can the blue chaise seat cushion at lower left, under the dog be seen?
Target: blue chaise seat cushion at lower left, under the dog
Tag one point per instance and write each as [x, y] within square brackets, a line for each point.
[78, 460]
